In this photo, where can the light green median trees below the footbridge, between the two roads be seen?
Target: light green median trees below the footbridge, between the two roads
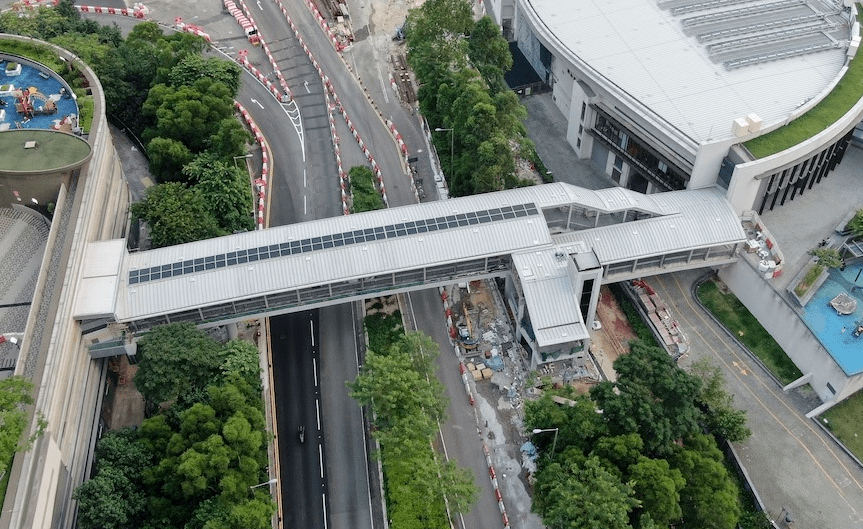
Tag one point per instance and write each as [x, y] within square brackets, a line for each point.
[401, 387]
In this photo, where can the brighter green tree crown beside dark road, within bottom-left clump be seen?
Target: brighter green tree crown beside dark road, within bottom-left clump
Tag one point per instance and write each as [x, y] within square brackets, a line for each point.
[215, 453]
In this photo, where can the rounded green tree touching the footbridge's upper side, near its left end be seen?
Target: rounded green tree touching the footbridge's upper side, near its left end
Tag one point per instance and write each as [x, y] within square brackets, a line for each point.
[176, 214]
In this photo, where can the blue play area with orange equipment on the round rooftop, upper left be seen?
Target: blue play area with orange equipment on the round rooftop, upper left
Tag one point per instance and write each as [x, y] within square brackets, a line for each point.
[49, 89]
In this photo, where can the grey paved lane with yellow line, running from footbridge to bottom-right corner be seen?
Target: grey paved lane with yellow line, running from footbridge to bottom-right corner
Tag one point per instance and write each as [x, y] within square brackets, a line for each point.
[791, 462]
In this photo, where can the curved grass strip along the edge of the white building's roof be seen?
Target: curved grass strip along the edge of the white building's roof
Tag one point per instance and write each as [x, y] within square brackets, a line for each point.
[836, 104]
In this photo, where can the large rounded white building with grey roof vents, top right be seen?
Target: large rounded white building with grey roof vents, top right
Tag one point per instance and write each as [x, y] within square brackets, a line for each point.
[662, 95]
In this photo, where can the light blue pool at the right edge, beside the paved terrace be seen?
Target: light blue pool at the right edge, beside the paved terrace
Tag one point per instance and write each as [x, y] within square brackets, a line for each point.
[827, 324]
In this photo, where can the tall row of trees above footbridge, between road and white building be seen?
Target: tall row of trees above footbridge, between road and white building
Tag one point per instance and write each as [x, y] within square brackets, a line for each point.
[460, 66]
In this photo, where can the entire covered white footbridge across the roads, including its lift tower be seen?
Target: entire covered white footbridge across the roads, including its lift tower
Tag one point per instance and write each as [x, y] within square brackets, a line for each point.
[556, 244]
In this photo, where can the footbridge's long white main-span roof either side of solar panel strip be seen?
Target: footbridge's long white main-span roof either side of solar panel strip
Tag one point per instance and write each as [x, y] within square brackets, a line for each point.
[297, 269]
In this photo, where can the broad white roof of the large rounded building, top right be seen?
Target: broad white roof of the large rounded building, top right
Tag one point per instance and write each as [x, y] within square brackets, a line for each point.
[656, 58]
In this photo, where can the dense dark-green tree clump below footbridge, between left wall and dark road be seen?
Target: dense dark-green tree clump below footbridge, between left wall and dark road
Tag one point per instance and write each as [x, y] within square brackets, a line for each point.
[193, 463]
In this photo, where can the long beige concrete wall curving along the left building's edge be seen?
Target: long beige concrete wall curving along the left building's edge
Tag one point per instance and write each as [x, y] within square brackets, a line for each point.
[69, 383]
